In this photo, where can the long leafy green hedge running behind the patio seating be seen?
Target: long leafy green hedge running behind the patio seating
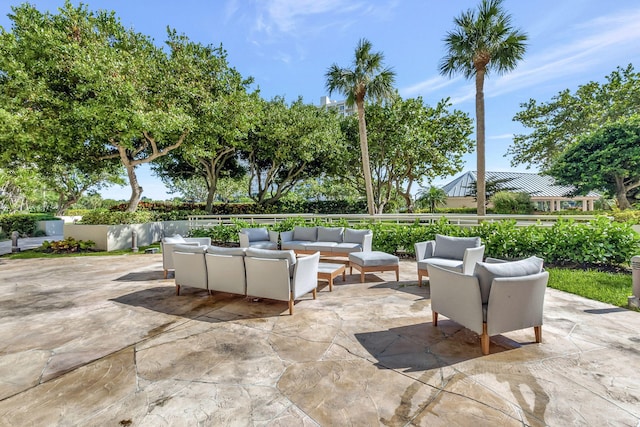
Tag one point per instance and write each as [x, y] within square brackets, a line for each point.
[598, 242]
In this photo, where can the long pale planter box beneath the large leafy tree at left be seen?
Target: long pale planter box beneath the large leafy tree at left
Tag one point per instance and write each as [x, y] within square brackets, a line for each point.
[115, 237]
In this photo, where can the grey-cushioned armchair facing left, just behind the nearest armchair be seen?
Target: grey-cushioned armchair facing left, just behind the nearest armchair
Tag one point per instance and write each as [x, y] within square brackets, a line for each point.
[454, 253]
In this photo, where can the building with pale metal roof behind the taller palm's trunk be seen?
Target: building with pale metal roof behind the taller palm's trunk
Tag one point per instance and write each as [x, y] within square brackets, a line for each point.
[544, 192]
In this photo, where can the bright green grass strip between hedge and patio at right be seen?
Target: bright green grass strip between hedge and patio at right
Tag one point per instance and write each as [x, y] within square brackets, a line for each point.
[610, 288]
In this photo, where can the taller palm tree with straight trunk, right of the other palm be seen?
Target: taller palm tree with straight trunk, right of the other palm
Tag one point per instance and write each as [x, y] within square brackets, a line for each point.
[482, 43]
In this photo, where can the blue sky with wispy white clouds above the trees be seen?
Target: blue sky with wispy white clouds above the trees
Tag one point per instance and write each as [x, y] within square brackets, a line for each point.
[287, 45]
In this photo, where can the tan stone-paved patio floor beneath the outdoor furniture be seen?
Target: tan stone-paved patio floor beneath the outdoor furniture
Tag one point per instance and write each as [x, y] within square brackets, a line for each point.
[104, 341]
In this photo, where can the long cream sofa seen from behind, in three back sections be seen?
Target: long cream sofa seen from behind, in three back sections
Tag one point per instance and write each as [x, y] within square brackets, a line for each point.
[254, 272]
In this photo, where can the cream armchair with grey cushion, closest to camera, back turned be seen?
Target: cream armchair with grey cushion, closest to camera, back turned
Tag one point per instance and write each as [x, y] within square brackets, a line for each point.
[495, 298]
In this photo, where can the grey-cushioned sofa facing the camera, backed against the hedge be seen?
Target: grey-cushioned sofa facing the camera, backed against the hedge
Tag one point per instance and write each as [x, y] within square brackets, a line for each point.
[329, 241]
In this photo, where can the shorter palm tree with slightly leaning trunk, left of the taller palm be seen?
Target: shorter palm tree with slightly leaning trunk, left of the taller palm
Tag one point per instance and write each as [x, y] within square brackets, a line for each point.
[367, 78]
